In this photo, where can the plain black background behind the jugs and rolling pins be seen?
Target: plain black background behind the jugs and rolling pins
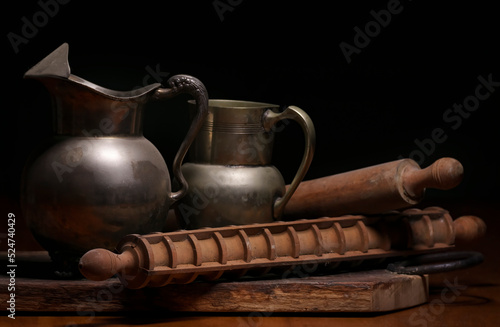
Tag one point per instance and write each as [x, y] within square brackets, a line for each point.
[366, 112]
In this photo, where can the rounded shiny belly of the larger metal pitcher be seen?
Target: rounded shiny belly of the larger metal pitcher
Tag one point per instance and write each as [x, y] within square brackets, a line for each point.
[118, 186]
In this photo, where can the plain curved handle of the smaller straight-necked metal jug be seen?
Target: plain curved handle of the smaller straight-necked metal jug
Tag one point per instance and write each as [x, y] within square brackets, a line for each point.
[305, 122]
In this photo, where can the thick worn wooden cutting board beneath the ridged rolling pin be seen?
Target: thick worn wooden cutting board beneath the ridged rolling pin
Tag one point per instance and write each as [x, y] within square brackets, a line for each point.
[361, 291]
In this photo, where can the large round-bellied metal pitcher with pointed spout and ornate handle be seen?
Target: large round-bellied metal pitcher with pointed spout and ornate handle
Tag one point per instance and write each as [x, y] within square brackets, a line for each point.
[98, 178]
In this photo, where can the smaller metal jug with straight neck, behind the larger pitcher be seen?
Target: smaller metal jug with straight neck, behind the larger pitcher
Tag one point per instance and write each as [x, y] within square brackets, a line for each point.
[230, 176]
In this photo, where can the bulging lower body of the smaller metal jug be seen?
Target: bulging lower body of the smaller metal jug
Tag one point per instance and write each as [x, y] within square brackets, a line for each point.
[222, 195]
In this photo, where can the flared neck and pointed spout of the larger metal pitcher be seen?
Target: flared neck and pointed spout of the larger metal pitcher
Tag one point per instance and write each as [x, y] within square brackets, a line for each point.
[81, 106]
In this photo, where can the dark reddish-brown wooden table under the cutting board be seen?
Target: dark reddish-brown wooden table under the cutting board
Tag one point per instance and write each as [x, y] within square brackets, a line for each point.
[469, 297]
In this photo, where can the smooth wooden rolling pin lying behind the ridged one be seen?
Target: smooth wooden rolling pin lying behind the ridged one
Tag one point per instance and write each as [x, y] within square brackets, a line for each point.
[372, 190]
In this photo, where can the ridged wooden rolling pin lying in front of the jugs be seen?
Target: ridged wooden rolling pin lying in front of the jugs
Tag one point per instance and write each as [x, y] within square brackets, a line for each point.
[180, 257]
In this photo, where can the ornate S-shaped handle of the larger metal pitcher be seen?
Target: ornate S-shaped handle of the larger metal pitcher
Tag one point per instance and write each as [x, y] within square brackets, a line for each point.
[180, 84]
